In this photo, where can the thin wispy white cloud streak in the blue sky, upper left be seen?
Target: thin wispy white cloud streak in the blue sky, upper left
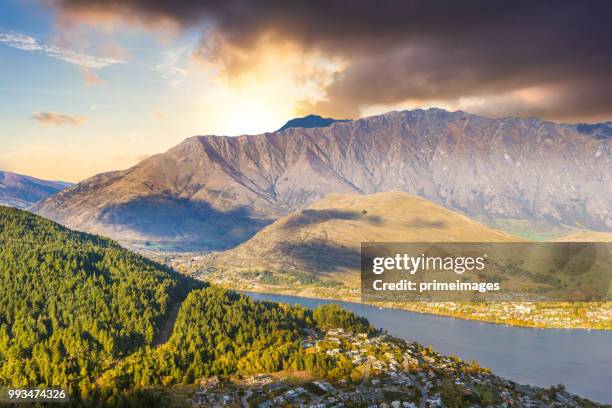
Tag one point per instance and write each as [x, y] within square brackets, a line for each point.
[28, 43]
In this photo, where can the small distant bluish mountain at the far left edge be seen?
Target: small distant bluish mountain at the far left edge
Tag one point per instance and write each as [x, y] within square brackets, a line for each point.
[21, 191]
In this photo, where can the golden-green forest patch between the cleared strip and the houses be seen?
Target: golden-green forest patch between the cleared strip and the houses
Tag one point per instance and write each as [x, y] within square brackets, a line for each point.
[219, 332]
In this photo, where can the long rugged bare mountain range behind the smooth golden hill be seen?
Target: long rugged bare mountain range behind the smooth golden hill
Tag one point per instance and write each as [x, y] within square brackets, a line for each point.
[213, 191]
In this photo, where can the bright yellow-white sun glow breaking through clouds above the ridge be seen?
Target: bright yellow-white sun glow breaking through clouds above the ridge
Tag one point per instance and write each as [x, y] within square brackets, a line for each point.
[264, 92]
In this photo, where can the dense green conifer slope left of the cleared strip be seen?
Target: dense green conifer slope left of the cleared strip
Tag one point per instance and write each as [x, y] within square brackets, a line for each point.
[72, 303]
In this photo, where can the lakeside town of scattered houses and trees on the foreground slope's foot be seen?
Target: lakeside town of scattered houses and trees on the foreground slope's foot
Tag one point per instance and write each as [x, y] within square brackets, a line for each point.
[387, 373]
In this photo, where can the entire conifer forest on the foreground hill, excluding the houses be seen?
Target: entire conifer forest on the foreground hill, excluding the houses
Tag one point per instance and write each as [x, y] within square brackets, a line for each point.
[79, 311]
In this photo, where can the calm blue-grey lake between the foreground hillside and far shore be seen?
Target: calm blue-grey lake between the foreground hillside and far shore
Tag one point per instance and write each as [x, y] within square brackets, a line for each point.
[579, 359]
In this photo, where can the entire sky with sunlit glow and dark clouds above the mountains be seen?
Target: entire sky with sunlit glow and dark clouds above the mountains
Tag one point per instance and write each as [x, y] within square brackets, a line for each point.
[96, 85]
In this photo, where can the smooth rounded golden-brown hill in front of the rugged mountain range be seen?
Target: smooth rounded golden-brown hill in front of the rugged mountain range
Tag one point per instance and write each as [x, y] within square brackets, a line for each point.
[326, 237]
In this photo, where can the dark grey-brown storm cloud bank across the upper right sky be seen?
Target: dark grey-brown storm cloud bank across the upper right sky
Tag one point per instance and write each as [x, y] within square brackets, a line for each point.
[419, 50]
